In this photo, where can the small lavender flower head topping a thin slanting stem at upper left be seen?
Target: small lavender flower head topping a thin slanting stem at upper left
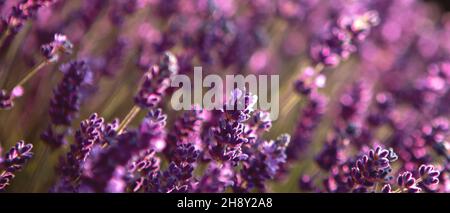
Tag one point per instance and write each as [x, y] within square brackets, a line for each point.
[53, 50]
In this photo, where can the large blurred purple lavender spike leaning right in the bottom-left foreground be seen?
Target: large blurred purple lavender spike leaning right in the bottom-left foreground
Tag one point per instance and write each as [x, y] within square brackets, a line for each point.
[108, 169]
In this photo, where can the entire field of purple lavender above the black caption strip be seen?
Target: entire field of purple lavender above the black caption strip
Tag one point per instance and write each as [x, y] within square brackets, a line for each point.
[86, 96]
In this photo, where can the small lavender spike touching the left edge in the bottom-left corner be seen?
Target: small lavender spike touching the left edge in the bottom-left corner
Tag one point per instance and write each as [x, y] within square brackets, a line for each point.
[13, 161]
